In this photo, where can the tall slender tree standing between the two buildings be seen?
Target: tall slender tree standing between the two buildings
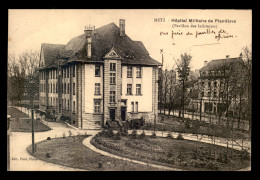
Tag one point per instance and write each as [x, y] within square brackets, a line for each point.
[183, 69]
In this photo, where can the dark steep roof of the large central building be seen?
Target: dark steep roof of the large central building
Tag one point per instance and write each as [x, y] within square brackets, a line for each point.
[103, 40]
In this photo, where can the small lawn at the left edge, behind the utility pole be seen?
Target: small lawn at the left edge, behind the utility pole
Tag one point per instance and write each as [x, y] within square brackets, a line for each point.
[20, 122]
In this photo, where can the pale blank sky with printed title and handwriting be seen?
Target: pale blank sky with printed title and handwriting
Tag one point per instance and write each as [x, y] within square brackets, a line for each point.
[27, 29]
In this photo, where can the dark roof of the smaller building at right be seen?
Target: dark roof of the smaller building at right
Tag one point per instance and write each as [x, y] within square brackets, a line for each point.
[220, 64]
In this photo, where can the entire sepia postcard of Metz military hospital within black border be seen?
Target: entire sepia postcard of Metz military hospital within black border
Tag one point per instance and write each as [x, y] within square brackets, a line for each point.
[129, 90]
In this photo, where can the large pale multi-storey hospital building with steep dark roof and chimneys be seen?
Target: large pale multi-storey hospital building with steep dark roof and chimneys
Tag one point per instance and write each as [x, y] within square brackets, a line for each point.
[98, 76]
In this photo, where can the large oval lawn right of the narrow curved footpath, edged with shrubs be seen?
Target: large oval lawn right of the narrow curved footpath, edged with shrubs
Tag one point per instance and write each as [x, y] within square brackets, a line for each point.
[181, 154]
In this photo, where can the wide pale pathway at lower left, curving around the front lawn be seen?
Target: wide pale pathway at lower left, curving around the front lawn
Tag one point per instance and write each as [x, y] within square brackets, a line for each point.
[21, 160]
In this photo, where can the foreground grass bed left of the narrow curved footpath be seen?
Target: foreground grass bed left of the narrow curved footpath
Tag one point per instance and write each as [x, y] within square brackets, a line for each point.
[70, 151]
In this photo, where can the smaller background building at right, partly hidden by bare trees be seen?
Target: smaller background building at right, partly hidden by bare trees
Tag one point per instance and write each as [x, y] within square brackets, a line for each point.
[215, 85]
